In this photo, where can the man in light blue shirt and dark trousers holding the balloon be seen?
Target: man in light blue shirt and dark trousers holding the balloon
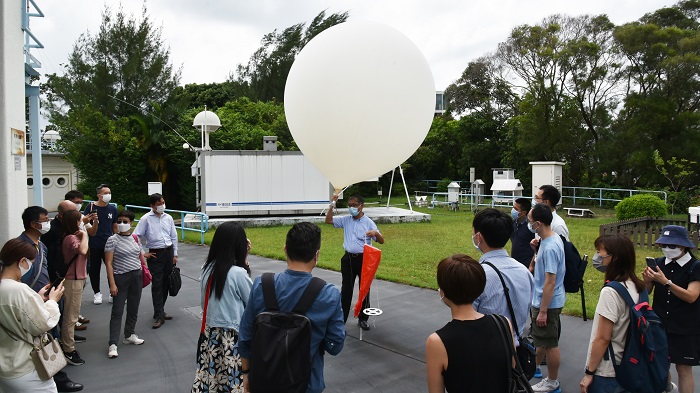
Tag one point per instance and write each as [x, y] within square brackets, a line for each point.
[358, 231]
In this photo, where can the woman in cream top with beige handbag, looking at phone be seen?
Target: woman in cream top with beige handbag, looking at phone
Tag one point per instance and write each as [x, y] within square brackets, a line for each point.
[24, 314]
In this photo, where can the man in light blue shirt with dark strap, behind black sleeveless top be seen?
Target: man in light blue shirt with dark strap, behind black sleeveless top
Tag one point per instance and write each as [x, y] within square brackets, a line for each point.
[491, 230]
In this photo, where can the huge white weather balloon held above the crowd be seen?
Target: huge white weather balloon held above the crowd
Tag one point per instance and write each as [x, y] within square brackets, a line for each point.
[359, 100]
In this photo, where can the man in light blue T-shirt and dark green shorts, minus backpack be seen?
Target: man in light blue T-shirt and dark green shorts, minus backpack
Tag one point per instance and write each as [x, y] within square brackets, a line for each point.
[548, 298]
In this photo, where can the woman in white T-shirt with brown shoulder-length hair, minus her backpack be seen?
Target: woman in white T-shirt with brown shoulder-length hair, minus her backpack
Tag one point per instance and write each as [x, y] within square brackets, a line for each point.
[615, 257]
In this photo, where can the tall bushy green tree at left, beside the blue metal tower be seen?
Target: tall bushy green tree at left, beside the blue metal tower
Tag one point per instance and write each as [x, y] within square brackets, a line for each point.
[102, 105]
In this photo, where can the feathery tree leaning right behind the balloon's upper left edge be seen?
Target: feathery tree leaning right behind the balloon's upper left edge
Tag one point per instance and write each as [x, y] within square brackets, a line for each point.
[267, 70]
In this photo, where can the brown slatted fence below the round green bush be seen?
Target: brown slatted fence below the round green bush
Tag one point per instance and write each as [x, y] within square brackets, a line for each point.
[644, 231]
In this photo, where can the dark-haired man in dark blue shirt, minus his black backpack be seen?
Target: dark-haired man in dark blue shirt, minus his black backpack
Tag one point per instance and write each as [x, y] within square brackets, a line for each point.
[326, 315]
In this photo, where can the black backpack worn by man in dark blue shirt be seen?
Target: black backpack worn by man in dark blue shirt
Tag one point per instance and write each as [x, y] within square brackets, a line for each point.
[280, 359]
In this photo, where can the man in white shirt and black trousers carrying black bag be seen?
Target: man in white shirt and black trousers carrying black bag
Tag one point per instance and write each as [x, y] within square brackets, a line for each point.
[157, 229]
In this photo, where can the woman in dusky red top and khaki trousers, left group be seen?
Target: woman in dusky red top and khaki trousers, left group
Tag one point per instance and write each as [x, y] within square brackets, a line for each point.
[74, 247]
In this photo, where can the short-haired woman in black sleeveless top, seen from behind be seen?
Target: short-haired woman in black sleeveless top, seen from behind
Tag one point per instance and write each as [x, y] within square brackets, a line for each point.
[467, 354]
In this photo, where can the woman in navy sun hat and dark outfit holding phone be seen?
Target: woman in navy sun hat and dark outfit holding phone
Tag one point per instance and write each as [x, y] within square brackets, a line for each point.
[676, 286]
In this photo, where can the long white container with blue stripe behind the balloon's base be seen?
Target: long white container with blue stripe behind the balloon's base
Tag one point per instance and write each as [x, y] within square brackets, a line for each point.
[261, 183]
